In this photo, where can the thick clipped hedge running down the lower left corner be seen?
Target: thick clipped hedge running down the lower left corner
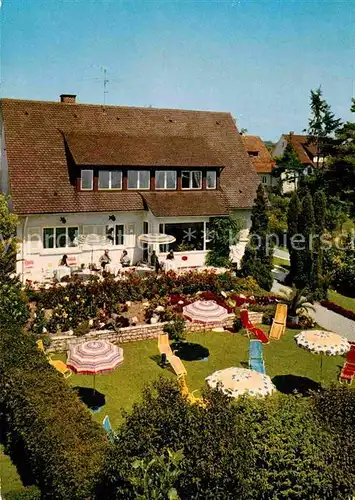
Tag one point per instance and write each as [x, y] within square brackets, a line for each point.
[48, 432]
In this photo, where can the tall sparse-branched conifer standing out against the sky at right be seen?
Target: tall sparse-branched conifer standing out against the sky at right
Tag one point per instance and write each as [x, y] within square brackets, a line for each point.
[322, 123]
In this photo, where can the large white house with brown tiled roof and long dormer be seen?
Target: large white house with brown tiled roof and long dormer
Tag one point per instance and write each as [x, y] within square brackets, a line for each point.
[74, 170]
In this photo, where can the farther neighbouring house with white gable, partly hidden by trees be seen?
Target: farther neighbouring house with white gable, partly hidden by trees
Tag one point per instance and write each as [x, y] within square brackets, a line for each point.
[307, 155]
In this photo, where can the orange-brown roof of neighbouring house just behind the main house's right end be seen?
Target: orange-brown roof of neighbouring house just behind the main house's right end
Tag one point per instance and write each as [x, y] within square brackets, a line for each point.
[261, 159]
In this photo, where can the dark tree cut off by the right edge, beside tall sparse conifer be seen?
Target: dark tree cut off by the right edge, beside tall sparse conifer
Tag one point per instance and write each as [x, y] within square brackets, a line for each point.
[340, 175]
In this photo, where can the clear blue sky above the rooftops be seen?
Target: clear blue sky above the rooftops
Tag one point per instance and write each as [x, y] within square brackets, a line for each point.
[257, 59]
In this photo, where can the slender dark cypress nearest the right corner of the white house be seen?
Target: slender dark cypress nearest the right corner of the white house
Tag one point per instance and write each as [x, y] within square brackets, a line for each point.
[257, 259]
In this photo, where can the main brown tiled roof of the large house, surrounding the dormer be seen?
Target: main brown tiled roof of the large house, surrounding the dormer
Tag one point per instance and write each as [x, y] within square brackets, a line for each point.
[39, 178]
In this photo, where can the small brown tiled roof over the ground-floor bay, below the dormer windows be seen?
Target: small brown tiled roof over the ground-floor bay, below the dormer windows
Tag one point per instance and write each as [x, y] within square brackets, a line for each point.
[186, 203]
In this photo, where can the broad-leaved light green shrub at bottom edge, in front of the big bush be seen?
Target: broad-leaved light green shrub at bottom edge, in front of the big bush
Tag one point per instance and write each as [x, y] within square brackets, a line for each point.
[154, 479]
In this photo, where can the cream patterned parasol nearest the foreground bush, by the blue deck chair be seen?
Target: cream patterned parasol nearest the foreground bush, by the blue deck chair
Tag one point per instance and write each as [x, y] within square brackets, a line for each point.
[235, 382]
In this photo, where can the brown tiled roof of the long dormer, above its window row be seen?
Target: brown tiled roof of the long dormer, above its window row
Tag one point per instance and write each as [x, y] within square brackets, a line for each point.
[118, 149]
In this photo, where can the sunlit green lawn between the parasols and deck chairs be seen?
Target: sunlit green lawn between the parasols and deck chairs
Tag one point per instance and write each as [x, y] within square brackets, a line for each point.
[123, 387]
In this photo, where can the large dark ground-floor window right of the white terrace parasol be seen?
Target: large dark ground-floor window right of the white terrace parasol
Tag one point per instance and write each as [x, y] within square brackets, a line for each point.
[190, 236]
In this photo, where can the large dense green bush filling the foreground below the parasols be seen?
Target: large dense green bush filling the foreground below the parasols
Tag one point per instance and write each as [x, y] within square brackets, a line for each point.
[247, 448]
